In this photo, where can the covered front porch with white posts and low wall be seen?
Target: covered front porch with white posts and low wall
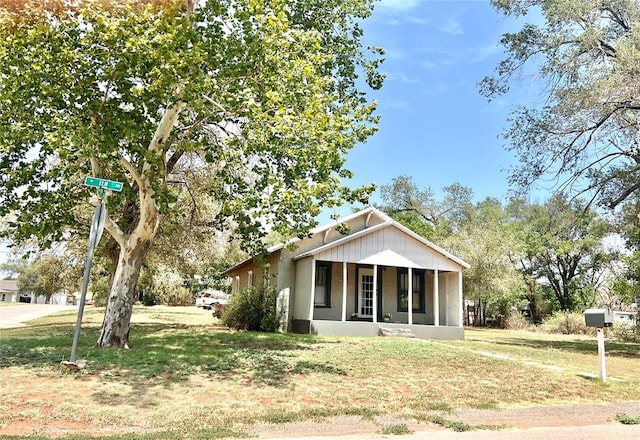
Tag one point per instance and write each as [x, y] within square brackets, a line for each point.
[357, 298]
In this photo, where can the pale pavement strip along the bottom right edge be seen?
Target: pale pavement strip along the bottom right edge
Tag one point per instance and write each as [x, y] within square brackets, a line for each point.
[566, 422]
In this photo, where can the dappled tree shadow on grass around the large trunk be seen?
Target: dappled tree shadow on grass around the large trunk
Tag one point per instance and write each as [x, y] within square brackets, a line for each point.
[164, 354]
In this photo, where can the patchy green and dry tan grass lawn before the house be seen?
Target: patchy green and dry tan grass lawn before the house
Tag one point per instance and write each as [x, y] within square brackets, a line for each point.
[184, 371]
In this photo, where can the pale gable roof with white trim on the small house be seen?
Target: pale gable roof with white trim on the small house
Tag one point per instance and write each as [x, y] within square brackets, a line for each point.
[375, 221]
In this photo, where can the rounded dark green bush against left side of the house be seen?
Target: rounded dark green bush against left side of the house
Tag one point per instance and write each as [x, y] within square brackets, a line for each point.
[252, 309]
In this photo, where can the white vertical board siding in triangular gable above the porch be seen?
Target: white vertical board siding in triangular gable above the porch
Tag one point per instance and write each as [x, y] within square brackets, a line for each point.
[389, 247]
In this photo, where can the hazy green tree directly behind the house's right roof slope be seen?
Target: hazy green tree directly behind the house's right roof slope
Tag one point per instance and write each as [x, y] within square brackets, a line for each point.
[481, 234]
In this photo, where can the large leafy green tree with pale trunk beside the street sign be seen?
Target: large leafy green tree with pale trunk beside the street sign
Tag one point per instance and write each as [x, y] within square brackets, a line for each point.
[264, 92]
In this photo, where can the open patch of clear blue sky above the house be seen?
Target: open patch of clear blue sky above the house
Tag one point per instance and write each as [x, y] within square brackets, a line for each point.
[435, 126]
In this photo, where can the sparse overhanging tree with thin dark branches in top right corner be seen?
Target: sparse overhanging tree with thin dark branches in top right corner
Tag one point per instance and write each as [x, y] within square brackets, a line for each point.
[585, 56]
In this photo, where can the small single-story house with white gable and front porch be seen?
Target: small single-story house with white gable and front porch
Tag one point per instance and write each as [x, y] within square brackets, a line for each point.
[351, 276]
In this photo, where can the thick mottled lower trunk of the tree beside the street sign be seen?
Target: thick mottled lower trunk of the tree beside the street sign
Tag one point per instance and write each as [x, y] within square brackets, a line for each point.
[117, 317]
